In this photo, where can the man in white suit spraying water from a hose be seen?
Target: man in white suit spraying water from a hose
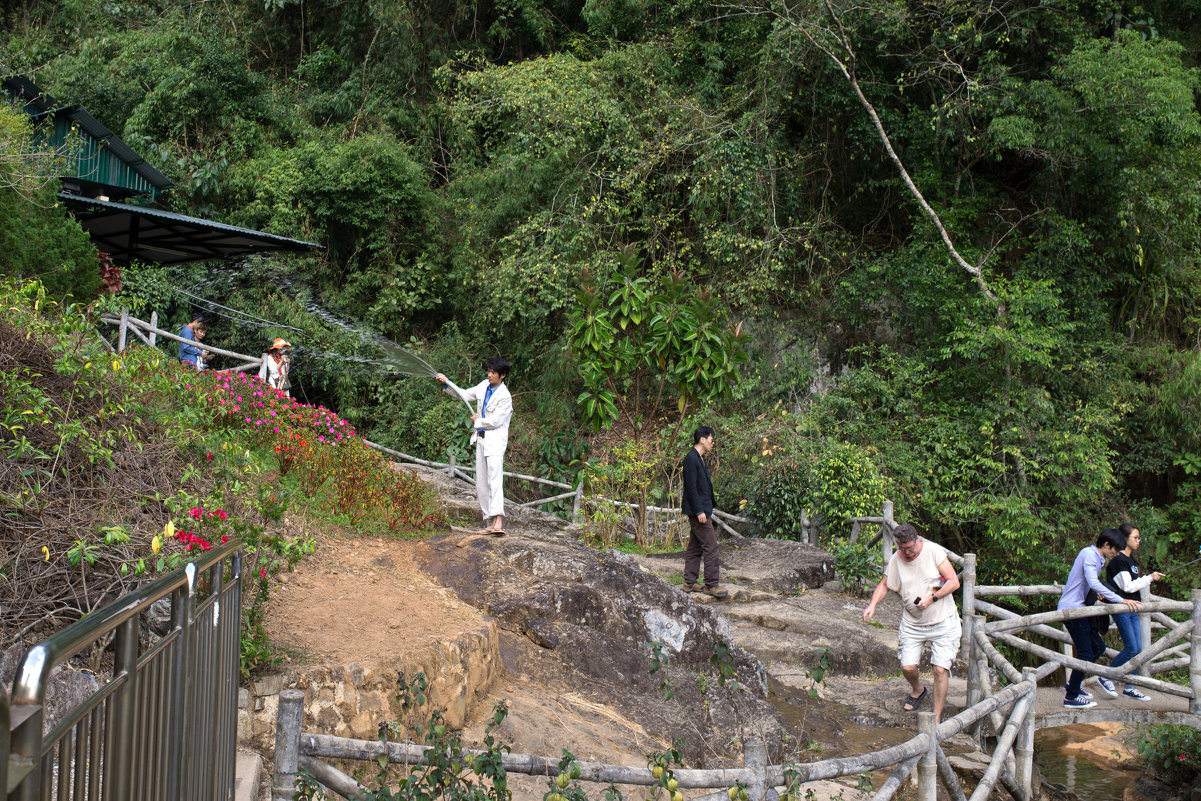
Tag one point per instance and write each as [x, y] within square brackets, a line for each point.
[491, 435]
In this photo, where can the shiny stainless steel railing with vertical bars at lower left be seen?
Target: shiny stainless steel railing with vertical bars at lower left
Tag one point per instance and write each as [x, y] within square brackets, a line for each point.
[165, 725]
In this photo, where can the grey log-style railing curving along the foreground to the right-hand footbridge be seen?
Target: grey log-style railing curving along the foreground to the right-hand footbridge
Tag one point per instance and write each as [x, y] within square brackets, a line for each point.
[1011, 712]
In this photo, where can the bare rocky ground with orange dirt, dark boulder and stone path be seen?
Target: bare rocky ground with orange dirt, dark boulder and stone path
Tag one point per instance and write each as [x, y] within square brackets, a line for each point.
[572, 630]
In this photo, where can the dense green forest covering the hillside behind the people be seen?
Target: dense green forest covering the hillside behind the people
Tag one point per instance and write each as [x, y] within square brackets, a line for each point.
[464, 165]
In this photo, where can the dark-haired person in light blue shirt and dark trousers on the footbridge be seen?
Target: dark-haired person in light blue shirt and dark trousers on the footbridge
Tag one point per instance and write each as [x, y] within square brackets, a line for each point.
[1086, 576]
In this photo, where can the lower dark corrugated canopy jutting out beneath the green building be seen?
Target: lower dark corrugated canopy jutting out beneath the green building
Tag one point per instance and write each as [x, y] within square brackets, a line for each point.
[135, 234]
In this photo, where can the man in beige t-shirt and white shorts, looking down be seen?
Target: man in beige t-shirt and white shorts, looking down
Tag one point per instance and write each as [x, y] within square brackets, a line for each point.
[925, 579]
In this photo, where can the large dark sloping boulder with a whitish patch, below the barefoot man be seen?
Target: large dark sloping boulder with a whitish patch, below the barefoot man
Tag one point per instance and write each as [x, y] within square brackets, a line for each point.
[597, 614]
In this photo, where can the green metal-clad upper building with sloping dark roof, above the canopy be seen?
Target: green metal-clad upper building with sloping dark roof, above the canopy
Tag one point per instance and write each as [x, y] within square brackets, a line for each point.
[98, 158]
